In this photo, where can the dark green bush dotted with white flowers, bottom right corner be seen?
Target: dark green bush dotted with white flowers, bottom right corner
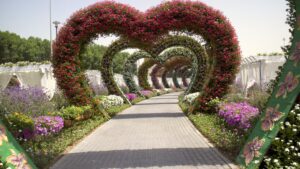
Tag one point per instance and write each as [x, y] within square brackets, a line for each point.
[285, 149]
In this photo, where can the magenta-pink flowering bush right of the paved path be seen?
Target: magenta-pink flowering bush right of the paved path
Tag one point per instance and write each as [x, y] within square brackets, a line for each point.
[238, 115]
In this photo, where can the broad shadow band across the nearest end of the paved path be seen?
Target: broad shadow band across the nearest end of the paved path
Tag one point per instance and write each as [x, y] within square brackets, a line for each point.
[144, 158]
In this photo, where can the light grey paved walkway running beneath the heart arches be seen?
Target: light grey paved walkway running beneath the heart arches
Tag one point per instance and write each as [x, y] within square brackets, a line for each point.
[152, 134]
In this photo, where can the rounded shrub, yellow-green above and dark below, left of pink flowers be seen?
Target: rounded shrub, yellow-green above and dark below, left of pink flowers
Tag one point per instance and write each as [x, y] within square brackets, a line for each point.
[21, 125]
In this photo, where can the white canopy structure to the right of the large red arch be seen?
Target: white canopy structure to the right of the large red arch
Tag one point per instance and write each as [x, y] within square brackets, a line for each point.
[258, 70]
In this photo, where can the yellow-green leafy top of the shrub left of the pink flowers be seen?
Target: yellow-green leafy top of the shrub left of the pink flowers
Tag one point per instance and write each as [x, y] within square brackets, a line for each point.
[19, 121]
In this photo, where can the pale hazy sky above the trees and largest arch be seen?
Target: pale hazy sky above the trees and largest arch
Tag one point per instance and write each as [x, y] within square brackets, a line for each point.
[260, 24]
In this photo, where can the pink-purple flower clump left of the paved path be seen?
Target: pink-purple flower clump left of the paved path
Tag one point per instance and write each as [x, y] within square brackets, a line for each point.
[47, 125]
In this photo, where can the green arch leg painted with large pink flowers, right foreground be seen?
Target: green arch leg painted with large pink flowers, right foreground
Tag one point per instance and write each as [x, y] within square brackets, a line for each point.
[278, 106]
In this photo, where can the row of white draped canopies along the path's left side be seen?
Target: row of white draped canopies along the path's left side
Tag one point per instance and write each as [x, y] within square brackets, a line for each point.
[41, 75]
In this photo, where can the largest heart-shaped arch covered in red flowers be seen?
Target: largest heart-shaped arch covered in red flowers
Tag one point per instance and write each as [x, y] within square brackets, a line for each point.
[107, 17]
